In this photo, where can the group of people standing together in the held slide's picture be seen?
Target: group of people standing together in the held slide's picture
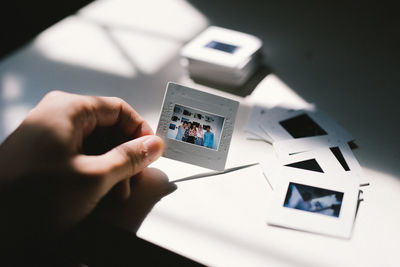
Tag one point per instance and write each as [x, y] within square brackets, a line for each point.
[195, 133]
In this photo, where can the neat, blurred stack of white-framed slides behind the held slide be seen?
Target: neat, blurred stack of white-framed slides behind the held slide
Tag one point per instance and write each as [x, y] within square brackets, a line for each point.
[222, 56]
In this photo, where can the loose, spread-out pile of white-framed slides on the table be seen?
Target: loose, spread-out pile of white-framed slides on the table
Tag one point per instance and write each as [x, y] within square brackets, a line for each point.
[317, 178]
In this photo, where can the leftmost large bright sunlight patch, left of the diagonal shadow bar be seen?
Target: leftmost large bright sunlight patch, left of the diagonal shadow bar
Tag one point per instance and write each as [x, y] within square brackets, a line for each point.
[78, 42]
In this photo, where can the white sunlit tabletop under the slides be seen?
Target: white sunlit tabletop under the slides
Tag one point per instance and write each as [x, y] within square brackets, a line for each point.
[129, 49]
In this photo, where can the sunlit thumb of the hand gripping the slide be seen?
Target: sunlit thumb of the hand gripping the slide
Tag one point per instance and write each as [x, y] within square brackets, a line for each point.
[123, 161]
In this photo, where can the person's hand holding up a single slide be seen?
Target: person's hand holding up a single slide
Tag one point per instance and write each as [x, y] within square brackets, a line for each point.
[48, 184]
